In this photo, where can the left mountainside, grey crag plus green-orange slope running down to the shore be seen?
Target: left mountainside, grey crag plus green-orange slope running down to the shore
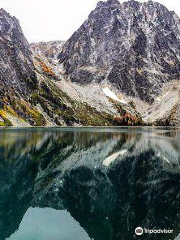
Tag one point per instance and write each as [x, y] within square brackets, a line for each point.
[30, 82]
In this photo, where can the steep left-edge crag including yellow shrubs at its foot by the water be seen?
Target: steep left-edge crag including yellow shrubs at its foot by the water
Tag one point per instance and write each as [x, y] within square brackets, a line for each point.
[17, 72]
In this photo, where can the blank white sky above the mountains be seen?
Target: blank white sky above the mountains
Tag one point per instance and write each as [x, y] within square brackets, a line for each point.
[46, 20]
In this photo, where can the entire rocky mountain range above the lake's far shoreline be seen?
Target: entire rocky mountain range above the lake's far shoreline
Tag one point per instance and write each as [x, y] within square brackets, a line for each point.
[121, 67]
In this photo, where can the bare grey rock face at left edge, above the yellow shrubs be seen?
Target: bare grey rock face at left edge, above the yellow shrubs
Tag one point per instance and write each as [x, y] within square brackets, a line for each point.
[17, 72]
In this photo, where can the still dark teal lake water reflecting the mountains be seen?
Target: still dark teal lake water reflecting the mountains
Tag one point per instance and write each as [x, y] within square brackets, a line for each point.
[90, 183]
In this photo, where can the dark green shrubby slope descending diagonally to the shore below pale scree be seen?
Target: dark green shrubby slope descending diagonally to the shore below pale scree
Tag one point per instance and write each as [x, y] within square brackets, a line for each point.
[59, 106]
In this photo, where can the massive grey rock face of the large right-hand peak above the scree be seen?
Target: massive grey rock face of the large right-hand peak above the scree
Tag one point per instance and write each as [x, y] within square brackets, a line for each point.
[134, 46]
